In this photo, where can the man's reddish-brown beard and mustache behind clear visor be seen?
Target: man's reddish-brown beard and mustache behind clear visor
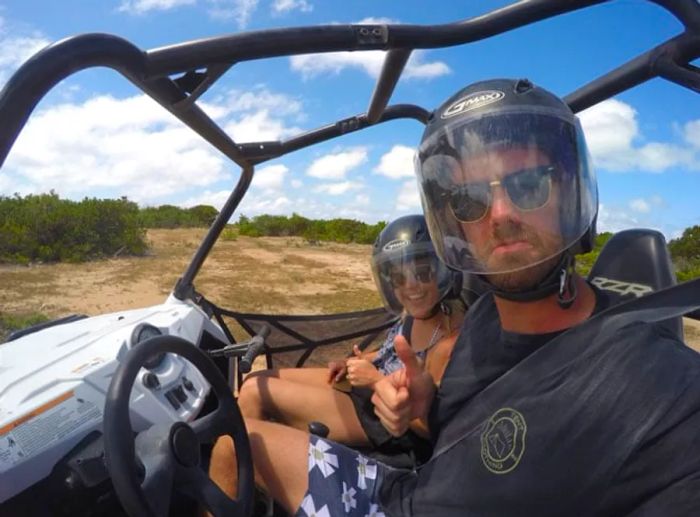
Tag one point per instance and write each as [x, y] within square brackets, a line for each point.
[526, 269]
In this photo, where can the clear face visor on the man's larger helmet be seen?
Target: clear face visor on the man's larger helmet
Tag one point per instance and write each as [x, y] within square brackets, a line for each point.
[505, 192]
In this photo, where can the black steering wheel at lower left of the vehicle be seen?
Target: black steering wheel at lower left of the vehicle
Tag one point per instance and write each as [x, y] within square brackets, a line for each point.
[145, 469]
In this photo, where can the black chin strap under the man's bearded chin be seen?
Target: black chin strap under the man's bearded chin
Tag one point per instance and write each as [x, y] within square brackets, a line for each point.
[559, 280]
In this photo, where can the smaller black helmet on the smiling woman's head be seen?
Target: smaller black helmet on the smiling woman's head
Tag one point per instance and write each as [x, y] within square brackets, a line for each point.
[398, 249]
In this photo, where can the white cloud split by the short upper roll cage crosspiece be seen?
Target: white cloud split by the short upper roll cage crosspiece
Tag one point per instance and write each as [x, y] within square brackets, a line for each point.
[312, 65]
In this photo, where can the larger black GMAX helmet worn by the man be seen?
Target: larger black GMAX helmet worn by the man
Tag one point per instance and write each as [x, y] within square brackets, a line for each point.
[462, 159]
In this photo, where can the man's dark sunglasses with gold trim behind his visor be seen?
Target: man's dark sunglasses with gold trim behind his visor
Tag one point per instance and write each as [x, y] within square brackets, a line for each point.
[527, 189]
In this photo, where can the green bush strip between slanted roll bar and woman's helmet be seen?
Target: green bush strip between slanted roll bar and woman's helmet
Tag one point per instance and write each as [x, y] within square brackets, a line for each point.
[335, 230]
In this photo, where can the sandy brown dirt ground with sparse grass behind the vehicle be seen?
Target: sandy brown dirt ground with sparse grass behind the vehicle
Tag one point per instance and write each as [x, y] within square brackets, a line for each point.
[276, 275]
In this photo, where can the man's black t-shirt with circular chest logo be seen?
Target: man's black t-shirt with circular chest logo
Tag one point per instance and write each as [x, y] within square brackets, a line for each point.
[594, 425]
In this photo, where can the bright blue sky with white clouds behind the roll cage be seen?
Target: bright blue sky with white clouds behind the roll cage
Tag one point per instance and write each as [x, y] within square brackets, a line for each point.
[96, 135]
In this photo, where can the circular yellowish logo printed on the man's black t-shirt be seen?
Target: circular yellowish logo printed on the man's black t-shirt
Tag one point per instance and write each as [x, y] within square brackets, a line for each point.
[503, 441]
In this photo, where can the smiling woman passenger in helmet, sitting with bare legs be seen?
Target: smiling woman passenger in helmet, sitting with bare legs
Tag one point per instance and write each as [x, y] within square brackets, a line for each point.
[413, 283]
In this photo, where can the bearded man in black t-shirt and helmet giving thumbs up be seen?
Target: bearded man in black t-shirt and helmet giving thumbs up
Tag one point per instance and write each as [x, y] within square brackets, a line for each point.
[538, 413]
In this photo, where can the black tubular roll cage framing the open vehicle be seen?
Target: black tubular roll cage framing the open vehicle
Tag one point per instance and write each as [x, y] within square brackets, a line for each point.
[177, 75]
